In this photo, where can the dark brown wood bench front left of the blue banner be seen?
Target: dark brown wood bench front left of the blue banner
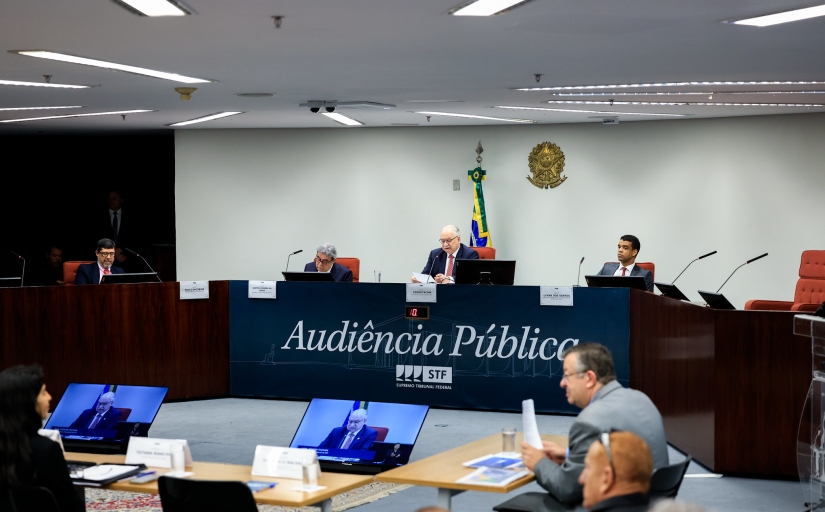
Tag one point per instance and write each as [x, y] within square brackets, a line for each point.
[139, 334]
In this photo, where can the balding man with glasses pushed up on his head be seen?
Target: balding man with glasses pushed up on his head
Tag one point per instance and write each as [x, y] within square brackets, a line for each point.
[616, 475]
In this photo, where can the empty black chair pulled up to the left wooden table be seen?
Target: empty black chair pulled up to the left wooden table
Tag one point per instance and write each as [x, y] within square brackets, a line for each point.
[185, 495]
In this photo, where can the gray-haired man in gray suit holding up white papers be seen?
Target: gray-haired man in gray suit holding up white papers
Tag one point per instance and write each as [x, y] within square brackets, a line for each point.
[590, 383]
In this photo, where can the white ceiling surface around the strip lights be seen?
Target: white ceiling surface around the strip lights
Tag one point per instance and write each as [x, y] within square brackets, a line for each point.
[394, 51]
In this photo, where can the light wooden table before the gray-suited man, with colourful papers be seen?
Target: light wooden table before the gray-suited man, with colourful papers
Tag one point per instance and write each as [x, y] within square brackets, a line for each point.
[442, 470]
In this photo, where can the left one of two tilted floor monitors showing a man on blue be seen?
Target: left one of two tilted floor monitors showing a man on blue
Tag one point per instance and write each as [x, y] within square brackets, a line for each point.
[100, 418]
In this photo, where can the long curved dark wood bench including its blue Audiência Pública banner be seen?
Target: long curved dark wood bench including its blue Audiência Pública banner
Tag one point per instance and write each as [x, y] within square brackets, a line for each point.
[730, 384]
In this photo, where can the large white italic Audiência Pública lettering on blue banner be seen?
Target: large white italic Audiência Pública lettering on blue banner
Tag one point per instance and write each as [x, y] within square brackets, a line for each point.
[490, 344]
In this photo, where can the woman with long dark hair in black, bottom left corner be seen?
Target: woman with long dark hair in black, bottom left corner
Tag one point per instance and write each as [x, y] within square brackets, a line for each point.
[27, 458]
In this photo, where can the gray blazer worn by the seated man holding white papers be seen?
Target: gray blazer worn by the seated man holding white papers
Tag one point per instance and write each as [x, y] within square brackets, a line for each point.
[613, 407]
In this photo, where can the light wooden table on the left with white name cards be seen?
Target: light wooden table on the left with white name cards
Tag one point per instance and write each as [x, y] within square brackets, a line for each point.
[282, 494]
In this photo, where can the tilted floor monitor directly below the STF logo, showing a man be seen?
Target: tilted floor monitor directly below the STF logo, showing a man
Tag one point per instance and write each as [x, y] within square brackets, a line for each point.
[382, 442]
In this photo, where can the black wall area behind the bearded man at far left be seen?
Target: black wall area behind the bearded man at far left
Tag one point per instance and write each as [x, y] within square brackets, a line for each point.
[53, 190]
